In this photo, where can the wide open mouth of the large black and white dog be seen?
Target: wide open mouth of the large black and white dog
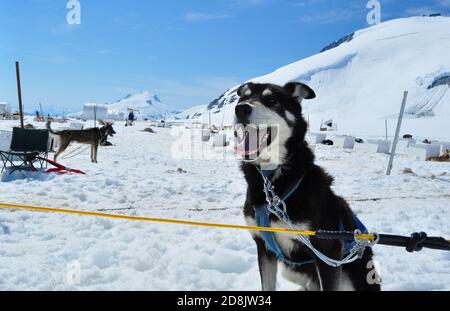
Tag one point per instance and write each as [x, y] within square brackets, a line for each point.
[252, 139]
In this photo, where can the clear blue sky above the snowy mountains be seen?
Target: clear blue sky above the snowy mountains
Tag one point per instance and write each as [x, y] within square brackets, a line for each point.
[186, 51]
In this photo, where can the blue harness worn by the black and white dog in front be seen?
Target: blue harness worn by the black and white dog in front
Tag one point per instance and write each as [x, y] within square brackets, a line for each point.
[262, 215]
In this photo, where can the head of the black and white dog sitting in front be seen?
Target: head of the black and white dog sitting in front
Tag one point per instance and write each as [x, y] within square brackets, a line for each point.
[267, 116]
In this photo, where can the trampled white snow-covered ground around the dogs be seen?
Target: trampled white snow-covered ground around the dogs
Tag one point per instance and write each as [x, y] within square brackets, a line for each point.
[40, 251]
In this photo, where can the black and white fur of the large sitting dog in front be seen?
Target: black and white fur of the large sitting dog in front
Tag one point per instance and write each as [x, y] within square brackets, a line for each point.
[312, 206]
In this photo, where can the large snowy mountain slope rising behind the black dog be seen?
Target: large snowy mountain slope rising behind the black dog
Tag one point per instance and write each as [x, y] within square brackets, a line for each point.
[360, 79]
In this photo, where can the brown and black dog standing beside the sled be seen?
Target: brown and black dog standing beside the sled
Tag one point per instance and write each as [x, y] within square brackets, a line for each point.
[93, 137]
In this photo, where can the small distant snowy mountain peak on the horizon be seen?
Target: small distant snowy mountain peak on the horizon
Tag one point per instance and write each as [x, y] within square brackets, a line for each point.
[146, 105]
